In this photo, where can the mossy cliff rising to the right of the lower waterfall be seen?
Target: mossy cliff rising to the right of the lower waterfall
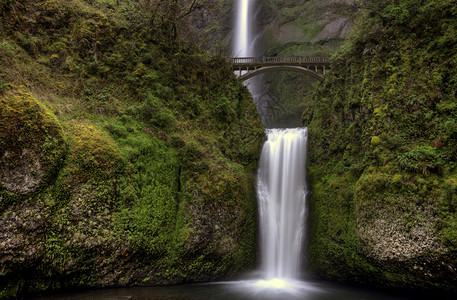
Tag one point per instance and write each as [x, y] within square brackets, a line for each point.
[383, 152]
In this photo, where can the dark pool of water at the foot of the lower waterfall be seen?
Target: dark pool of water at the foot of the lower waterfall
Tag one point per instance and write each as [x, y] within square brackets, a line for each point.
[236, 290]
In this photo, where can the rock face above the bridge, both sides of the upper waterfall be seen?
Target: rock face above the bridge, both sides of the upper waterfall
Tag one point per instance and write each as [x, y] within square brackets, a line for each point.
[277, 23]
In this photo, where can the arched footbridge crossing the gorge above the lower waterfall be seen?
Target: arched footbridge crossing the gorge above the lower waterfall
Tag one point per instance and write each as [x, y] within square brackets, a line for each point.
[248, 67]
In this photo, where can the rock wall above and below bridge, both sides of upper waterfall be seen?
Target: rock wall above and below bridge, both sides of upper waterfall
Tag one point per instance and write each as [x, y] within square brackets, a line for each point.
[288, 28]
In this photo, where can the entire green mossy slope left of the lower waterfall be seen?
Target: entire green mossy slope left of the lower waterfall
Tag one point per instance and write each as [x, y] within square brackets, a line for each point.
[147, 146]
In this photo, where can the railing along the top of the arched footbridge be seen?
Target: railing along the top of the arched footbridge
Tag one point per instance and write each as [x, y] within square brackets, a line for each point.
[279, 60]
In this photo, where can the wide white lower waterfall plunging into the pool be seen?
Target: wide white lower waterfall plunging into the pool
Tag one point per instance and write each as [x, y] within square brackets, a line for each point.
[282, 190]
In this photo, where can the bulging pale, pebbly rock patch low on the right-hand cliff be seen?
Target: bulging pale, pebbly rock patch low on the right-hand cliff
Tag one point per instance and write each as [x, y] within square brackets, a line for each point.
[384, 231]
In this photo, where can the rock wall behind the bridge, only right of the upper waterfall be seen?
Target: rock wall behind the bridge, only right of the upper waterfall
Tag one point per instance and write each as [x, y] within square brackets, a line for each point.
[296, 28]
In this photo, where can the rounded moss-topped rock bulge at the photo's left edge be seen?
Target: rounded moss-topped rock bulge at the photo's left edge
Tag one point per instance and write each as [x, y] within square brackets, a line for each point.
[31, 142]
